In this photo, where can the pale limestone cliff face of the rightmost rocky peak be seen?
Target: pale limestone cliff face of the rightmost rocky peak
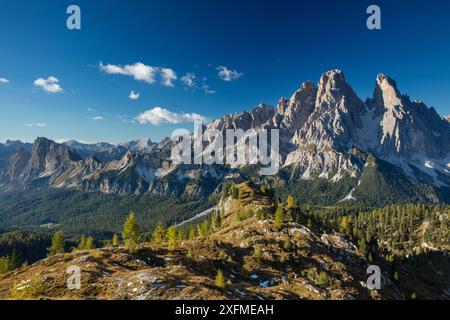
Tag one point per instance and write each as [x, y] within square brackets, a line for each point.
[407, 128]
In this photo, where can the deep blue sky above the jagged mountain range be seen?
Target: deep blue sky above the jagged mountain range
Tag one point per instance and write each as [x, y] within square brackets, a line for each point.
[267, 49]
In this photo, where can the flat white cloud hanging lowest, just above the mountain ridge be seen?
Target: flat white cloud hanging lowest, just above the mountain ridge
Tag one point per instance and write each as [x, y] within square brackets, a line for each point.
[158, 116]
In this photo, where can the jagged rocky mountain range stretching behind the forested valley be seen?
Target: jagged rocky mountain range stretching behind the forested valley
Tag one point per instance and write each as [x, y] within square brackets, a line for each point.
[334, 148]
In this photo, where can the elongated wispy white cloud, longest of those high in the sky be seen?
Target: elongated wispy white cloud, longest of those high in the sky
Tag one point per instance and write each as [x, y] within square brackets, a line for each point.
[142, 72]
